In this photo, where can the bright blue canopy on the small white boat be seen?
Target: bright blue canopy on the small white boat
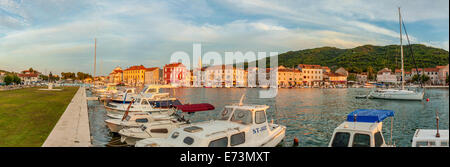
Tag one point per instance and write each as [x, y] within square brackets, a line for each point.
[369, 115]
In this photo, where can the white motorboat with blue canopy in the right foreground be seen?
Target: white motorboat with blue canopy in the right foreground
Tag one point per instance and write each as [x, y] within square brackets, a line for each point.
[363, 128]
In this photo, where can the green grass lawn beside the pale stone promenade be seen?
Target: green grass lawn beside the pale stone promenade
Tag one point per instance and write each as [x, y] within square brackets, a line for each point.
[27, 116]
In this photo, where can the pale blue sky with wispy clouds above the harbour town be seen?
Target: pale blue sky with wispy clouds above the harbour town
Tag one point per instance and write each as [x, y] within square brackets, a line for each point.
[58, 35]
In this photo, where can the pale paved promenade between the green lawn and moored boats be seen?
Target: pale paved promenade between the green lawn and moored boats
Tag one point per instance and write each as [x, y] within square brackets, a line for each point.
[72, 129]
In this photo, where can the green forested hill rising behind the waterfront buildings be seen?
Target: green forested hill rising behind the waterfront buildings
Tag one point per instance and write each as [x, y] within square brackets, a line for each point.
[360, 58]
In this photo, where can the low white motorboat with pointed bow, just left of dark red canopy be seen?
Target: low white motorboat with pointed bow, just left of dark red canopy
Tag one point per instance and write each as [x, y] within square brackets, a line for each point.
[135, 120]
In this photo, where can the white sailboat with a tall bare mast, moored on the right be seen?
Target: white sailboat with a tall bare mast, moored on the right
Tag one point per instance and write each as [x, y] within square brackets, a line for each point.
[398, 94]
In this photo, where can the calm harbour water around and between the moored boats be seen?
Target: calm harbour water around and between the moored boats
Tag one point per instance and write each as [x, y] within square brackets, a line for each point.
[310, 114]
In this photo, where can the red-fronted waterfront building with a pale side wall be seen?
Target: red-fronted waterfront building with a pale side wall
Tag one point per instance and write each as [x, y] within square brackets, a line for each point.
[175, 74]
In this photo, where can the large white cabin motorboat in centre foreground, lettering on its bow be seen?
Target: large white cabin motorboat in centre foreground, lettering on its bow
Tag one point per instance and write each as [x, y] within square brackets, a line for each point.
[238, 126]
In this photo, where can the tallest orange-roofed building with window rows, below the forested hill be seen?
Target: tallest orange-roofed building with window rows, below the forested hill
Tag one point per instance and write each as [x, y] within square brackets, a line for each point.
[312, 74]
